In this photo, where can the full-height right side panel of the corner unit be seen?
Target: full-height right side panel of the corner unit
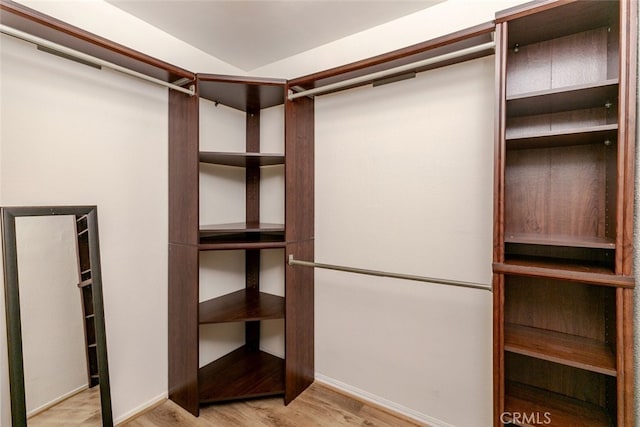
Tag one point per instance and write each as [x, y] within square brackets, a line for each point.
[299, 232]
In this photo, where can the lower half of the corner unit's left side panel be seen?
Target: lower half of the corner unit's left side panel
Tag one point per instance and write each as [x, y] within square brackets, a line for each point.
[183, 326]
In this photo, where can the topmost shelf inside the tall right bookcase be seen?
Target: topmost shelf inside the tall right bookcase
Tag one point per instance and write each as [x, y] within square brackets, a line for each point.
[563, 99]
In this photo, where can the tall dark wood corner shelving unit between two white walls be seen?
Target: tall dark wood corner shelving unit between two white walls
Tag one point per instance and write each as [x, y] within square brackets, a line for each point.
[247, 371]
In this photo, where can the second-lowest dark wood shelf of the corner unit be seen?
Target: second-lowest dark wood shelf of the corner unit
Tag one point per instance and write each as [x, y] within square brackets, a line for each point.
[242, 305]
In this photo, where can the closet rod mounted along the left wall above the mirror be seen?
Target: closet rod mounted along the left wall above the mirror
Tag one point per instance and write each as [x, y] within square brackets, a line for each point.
[88, 58]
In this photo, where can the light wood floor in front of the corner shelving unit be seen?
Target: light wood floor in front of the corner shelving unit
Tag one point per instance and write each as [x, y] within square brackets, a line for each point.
[317, 406]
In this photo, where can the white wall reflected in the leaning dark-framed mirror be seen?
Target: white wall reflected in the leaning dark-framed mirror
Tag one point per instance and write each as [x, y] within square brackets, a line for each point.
[53, 339]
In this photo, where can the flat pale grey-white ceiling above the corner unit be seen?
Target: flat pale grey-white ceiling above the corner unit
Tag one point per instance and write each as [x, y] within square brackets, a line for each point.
[250, 34]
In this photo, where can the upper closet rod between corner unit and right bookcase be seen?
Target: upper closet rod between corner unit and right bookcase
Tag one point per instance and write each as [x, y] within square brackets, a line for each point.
[397, 70]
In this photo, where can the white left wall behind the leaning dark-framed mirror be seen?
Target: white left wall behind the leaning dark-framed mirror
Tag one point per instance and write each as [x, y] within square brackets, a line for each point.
[76, 135]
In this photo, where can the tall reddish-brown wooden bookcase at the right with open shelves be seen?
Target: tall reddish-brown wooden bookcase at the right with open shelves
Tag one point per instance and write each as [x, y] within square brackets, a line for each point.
[563, 238]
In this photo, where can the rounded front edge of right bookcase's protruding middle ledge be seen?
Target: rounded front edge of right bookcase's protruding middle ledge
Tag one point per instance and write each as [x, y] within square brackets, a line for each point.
[569, 275]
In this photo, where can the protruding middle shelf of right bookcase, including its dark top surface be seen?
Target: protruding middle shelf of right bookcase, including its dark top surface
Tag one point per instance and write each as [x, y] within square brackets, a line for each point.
[563, 270]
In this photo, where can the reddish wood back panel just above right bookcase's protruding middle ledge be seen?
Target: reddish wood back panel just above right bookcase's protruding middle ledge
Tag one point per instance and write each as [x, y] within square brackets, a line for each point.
[557, 191]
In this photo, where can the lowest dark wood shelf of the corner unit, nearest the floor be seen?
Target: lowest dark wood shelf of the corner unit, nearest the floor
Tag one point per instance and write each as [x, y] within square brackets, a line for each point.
[244, 373]
